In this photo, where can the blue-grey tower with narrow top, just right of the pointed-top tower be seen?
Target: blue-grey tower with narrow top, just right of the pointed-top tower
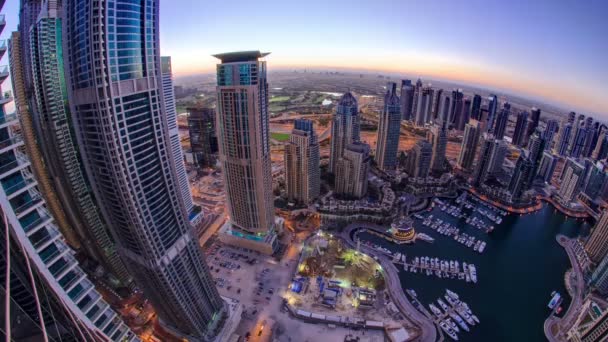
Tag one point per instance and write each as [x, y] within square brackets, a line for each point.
[388, 130]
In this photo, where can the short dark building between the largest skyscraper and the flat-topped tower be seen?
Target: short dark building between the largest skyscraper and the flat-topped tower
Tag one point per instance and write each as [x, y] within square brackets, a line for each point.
[203, 139]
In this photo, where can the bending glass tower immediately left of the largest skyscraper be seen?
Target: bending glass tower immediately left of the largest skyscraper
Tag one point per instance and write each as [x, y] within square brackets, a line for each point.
[54, 140]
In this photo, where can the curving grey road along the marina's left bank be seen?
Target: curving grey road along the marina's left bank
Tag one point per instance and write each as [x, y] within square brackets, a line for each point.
[428, 331]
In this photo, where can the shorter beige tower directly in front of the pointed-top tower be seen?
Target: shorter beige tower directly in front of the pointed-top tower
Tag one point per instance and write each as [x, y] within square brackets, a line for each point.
[352, 171]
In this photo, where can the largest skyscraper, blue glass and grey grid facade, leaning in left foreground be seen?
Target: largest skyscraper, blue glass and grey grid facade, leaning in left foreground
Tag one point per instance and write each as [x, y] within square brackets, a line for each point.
[117, 105]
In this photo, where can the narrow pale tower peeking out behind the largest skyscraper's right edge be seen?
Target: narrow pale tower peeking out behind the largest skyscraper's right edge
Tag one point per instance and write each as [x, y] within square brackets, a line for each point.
[176, 146]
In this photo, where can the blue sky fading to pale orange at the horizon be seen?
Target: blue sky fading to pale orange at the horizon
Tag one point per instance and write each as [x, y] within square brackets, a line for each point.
[553, 50]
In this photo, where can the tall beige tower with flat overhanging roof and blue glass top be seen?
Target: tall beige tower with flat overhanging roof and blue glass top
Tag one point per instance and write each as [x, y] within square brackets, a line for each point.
[242, 126]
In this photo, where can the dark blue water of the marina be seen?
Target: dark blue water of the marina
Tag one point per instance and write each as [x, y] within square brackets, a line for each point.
[520, 267]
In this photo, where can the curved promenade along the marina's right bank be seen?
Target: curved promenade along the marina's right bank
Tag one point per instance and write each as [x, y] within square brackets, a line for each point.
[555, 327]
